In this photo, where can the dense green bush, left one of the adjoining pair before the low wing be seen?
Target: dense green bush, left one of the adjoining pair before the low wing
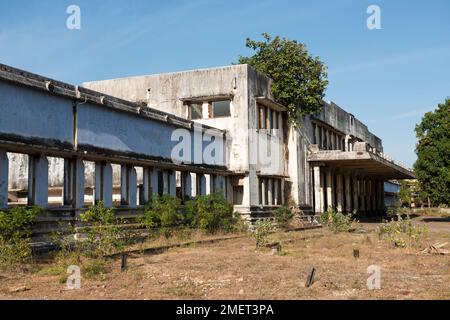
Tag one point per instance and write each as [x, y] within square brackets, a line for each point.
[162, 213]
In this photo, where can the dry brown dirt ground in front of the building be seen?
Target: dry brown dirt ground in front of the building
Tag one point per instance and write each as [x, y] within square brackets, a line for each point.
[233, 269]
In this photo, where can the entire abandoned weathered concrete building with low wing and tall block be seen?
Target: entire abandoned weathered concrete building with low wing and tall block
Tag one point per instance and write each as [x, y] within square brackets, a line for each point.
[64, 147]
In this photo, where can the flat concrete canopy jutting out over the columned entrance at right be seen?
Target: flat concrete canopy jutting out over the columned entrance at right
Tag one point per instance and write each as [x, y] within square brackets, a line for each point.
[361, 162]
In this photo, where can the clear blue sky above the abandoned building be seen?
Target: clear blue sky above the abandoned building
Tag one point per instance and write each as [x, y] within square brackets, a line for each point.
[387, 78]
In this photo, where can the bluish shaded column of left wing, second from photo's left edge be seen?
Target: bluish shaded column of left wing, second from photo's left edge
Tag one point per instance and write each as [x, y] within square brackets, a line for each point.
[38, 181]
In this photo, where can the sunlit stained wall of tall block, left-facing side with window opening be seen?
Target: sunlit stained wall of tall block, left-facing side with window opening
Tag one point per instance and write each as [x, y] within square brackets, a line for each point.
[168, 92]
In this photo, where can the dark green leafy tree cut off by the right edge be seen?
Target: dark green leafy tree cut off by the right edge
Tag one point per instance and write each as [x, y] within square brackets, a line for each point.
[432, 167]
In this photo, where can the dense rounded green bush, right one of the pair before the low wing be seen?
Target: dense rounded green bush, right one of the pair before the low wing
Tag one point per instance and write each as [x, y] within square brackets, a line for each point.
[211, 213]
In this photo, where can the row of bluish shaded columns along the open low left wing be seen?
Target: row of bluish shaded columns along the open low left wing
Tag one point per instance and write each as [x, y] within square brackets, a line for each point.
[155, 181]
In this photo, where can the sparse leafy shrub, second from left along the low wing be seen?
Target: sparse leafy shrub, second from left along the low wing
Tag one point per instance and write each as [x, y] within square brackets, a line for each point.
[104, 235]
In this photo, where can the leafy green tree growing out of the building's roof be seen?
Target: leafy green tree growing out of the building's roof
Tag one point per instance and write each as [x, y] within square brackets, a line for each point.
[300, 80]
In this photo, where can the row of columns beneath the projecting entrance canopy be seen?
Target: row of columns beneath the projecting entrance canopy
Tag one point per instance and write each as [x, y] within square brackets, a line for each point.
[346, 192]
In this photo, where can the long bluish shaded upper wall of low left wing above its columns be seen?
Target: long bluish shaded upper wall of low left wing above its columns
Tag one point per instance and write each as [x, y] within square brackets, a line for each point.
[39, 113]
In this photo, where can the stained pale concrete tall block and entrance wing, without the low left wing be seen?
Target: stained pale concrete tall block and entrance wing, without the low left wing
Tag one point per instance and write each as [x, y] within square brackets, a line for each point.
[307, 171]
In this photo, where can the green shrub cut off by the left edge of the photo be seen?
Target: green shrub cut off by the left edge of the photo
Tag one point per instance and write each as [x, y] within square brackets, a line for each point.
[15, 235]
